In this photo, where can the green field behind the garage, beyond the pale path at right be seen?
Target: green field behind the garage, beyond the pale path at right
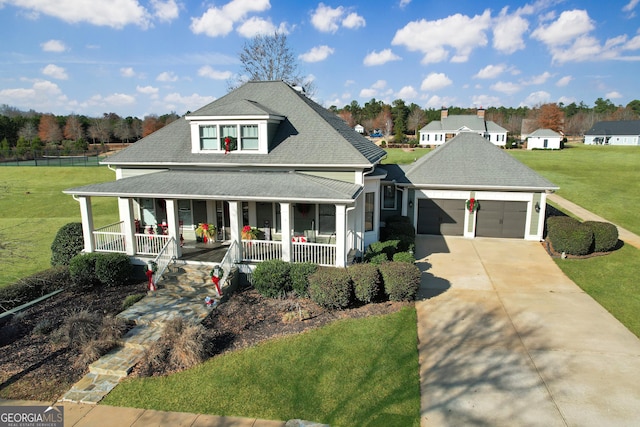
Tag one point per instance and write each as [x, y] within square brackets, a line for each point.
[602, 179]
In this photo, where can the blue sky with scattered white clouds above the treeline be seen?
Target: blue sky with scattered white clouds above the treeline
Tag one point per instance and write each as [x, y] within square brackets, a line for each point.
[139, 57]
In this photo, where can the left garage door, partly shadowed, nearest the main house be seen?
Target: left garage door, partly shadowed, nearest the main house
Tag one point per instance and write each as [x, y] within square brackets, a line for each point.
[441, 216]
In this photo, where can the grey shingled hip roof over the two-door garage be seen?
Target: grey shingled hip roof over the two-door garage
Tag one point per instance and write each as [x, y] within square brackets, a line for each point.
[470, 161]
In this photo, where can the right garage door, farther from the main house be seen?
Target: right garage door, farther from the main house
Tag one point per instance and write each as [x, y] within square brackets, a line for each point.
[501, 219]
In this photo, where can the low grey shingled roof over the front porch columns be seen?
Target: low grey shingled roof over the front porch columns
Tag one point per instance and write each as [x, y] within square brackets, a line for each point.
[236, 185]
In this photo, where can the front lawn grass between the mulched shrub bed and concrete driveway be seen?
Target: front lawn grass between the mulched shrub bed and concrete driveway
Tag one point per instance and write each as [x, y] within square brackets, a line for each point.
[352, 372]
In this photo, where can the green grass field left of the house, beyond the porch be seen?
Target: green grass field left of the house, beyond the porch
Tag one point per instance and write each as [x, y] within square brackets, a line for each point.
[34, 208]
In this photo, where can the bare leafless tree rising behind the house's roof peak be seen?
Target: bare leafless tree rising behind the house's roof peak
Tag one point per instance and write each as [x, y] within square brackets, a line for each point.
[269, 57]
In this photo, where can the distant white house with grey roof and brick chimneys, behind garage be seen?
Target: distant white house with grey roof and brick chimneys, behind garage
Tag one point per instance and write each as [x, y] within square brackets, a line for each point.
[438, 132]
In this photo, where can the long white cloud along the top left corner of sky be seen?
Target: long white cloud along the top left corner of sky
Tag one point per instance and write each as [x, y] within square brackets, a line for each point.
[115, 14]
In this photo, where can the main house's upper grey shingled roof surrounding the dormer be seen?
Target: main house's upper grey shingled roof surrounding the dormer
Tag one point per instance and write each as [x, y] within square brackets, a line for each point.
[308, 135]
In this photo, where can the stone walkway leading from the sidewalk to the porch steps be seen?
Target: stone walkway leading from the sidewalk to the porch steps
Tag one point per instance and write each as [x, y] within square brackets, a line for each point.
[181, 293]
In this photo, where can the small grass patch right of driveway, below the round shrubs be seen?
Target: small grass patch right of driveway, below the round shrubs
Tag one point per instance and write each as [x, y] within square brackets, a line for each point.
[612, 280]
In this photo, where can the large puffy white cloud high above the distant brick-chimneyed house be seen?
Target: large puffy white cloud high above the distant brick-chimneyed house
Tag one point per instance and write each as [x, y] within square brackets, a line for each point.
[434, 38]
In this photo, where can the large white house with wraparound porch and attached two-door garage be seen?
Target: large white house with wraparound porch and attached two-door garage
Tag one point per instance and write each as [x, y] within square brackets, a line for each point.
[266, 156]
